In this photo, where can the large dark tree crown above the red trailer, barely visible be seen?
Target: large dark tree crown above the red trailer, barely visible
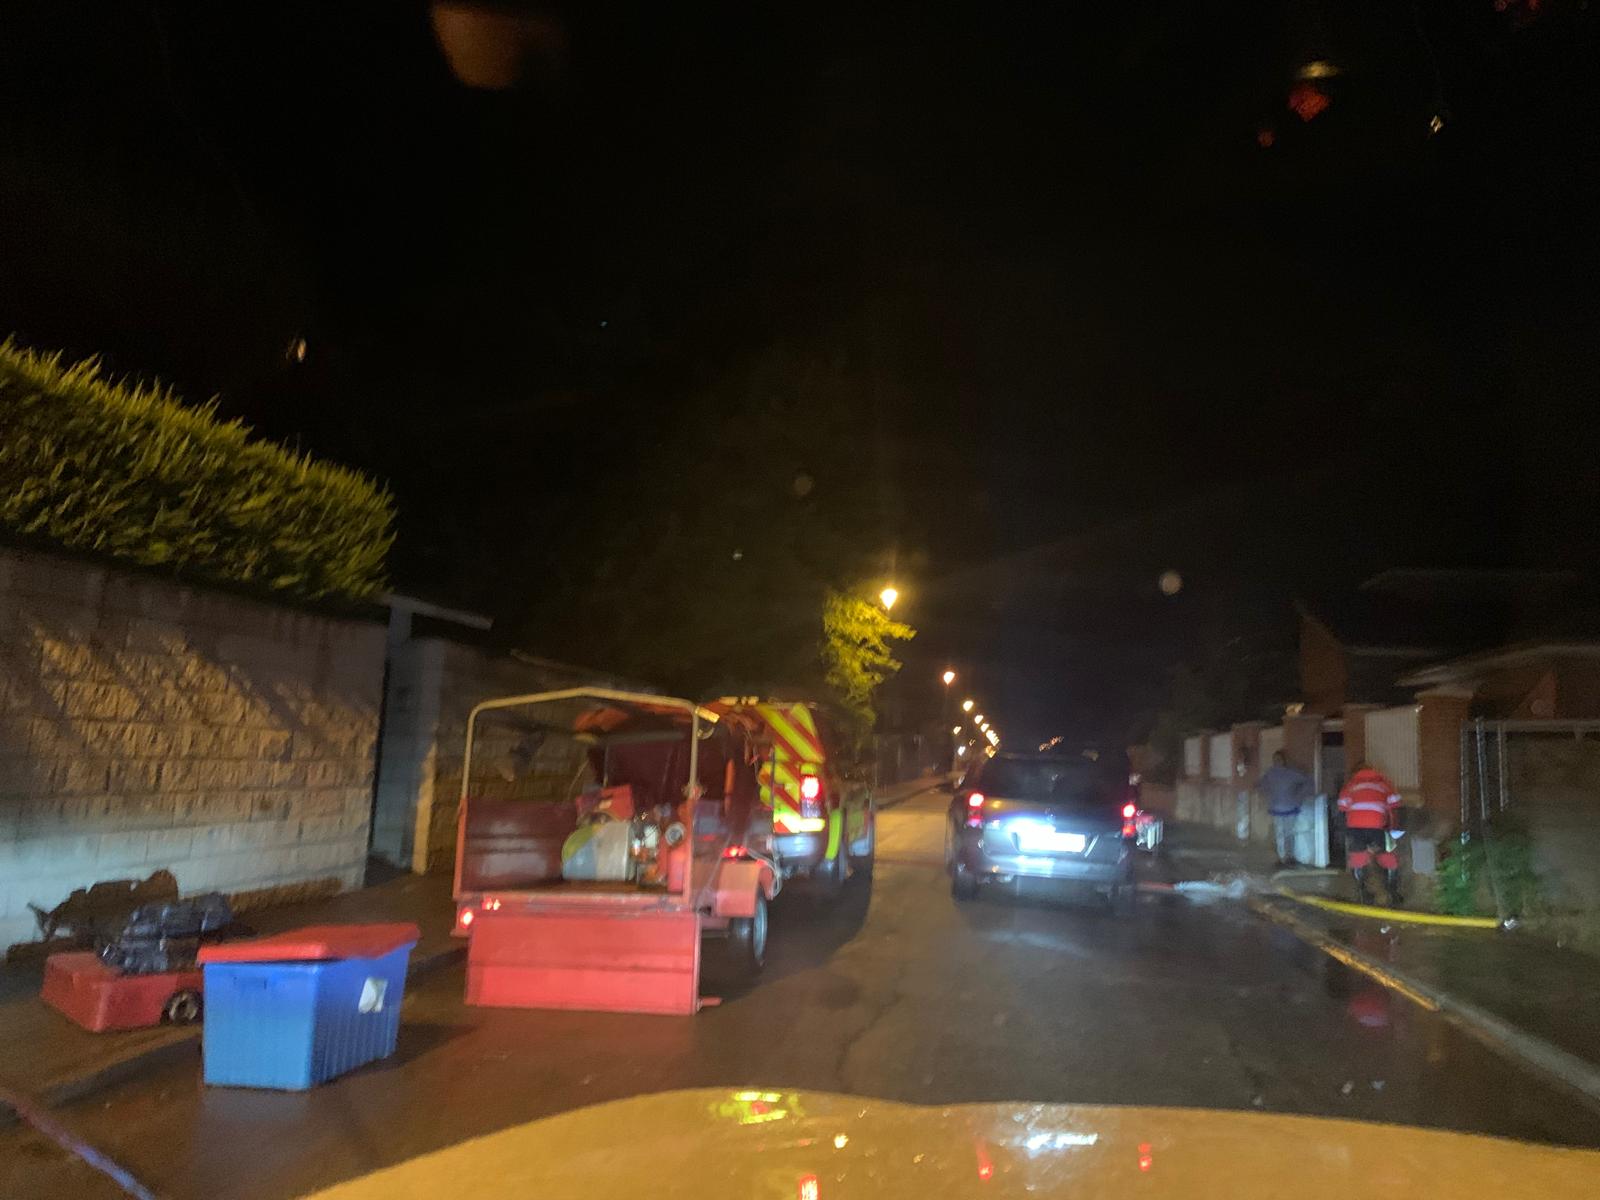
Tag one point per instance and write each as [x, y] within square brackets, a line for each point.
[706, 561]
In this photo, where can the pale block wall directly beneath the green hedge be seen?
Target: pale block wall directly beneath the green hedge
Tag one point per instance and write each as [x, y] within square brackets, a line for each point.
[146, 726]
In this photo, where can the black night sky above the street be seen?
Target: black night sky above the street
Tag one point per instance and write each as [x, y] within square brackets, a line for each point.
[1098, 262]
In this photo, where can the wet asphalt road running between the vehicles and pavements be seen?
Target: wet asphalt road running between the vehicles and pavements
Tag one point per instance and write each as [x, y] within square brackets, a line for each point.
[900, 994]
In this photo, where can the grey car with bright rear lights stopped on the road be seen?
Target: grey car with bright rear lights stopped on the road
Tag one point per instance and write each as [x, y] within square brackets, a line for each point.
[1042, 817]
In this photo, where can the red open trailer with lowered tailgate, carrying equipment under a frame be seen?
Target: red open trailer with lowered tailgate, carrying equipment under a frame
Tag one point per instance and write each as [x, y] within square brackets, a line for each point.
[604, 841]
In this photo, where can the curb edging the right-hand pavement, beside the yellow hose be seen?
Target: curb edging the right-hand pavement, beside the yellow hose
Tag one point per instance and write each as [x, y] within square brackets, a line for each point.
[1484, 1026]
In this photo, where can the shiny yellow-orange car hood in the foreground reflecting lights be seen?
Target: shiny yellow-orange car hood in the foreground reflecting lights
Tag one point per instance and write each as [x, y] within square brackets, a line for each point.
[815, 1146]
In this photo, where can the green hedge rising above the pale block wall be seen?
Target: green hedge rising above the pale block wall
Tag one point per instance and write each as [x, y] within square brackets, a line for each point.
[132, 473]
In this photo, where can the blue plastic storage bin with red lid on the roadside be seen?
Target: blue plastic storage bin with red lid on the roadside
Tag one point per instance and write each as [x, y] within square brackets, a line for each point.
[297, 1009]
